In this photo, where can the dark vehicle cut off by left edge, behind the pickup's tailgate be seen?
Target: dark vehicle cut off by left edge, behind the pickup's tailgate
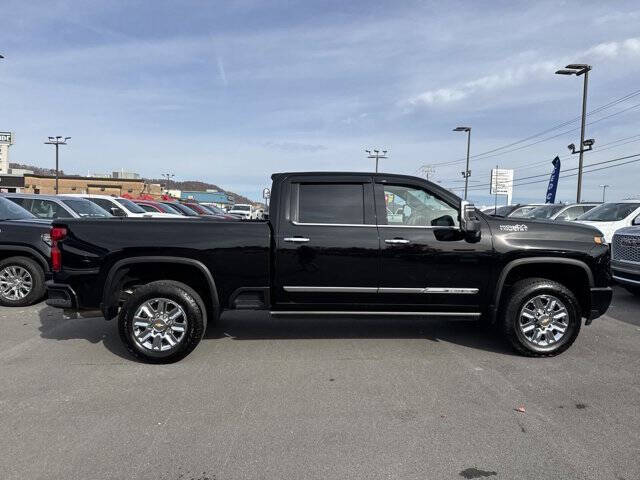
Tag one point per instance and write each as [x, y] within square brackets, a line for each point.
[24, 255]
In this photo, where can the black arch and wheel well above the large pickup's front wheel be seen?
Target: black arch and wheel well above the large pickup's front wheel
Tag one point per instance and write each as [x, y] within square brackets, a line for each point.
[515, 269]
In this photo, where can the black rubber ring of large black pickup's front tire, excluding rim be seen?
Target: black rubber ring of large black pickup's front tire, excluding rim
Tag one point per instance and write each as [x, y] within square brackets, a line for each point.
[521, 298]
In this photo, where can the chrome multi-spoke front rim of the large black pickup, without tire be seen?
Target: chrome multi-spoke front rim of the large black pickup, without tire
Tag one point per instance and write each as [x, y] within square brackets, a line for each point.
[543, 320]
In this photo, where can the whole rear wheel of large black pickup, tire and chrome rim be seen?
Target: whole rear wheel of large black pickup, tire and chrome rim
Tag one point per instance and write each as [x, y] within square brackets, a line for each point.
[162, 332]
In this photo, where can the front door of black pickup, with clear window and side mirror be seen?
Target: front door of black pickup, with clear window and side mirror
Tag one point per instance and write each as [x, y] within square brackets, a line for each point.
[428, 263]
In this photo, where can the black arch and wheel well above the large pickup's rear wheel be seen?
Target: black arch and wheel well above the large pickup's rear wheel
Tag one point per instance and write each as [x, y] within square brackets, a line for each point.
[120, 269]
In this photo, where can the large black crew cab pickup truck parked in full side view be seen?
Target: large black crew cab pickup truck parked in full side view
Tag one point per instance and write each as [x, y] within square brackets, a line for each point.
[335, 244]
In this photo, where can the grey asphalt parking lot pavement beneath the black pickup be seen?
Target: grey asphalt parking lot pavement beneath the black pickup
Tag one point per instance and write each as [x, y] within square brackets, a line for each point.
[318, 399]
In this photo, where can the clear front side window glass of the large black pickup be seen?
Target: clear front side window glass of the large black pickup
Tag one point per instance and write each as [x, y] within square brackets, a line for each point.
[413, 207]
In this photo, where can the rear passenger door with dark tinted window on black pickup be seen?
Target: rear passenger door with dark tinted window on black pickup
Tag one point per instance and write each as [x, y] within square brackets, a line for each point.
[327, 249]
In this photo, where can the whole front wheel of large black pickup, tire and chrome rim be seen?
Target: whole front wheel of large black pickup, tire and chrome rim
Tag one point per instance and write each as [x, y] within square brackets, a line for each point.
[545, 338]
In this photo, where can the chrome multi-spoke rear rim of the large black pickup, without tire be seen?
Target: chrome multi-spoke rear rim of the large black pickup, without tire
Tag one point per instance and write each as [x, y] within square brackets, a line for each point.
[159, 324]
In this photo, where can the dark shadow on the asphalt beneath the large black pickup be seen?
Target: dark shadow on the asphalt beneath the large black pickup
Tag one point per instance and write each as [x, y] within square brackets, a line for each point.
[260, 326]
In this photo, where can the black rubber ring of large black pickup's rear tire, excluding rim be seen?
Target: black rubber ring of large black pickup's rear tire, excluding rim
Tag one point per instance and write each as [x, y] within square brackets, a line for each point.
[171, 291]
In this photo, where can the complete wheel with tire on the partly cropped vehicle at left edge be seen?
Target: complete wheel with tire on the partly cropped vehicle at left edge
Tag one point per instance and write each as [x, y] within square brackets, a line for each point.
[29, 274]
